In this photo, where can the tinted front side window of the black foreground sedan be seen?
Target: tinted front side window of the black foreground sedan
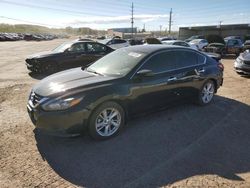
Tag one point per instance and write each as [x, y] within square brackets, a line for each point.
[161, 62]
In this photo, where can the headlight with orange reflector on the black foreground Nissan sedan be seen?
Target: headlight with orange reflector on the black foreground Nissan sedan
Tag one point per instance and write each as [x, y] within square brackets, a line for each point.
[61, 104]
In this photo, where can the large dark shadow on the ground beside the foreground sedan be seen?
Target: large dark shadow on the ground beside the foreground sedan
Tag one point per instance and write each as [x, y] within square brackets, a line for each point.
[158, 149]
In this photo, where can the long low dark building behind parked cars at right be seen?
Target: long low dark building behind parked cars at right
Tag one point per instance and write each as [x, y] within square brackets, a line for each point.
[223, 30]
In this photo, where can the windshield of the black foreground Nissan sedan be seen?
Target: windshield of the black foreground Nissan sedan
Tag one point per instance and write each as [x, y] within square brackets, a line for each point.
[118, 63]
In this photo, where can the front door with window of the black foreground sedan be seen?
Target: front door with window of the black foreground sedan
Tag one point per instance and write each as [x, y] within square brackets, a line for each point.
[158, 89]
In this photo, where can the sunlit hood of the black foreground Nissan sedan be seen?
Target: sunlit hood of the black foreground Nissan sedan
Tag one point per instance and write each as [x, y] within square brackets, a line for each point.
[73, 79]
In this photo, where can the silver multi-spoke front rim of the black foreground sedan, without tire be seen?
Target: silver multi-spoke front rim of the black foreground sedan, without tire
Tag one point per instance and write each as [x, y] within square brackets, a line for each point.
[108, 122]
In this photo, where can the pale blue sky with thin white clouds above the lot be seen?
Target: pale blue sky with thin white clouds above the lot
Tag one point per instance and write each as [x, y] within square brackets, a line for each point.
[105, 14]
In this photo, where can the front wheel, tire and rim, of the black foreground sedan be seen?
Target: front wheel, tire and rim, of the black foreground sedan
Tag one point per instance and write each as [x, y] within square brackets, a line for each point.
[106, 121]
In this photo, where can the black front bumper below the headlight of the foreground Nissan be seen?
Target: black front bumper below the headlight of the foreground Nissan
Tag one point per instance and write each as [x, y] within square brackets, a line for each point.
[70, 122]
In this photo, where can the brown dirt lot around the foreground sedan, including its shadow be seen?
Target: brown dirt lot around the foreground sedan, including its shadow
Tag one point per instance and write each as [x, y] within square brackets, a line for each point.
[183, 146]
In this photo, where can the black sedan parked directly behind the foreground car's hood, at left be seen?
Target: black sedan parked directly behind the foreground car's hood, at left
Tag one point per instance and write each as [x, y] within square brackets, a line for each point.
[68, 55]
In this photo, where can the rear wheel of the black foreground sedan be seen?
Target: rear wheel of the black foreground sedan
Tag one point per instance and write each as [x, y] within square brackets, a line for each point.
[206, 93]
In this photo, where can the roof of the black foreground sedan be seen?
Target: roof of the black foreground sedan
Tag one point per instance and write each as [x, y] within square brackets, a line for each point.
[151, 48]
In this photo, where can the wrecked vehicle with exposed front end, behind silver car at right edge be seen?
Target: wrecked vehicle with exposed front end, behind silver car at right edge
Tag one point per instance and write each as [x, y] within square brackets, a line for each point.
[233, 46]
